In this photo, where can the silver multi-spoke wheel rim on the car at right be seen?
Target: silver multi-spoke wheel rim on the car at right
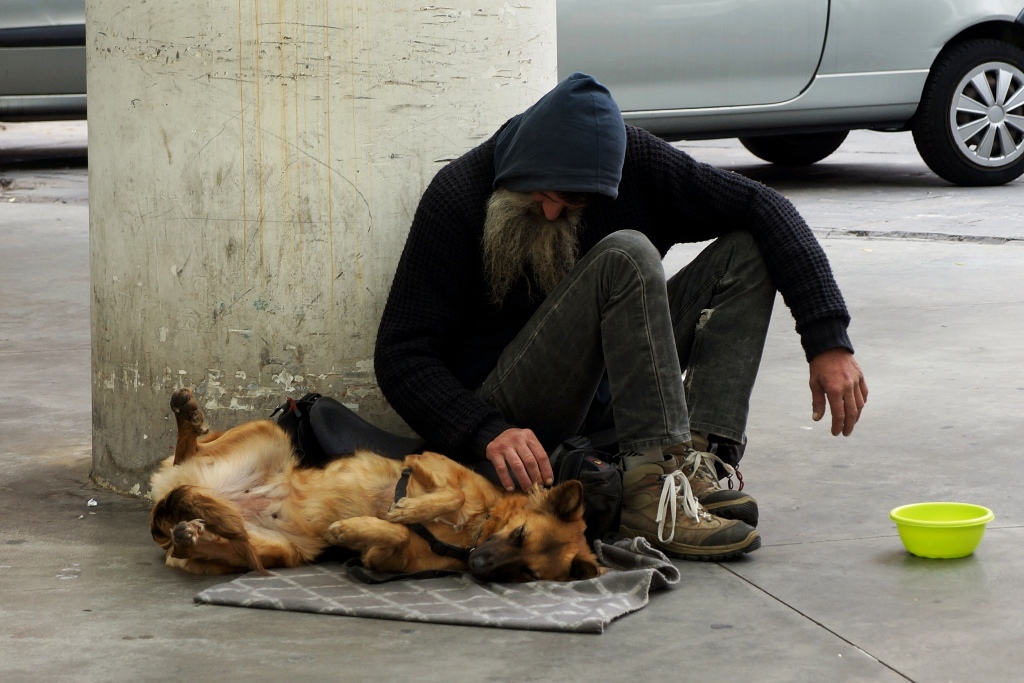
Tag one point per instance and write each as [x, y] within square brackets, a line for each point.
[988, 115]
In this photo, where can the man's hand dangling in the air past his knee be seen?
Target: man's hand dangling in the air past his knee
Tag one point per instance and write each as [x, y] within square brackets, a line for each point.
[836, 376]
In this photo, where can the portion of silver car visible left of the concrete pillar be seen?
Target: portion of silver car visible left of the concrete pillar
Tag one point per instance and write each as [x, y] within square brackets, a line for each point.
[42, 60]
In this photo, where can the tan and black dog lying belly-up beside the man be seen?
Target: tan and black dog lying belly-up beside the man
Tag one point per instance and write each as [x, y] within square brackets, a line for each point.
[237, 501]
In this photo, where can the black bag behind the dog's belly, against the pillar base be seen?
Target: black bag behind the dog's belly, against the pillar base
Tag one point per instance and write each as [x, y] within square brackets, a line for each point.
[324, 431]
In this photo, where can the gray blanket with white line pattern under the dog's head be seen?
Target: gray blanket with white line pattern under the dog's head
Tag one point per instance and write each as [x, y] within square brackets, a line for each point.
[585, 607]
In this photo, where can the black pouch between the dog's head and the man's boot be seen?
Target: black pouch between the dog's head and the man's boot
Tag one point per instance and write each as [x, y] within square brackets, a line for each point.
[603, 485]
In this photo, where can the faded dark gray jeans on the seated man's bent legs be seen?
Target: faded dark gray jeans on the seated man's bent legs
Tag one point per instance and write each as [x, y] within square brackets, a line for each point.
[615, 313]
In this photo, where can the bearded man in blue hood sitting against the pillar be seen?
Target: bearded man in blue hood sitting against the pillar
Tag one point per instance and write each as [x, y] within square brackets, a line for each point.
[531, 306]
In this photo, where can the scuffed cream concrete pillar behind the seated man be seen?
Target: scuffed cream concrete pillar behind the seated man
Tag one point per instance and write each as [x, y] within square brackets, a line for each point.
[253, 172]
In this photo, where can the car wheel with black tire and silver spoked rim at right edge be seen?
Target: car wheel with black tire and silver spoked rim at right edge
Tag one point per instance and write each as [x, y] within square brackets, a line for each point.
[970, 125]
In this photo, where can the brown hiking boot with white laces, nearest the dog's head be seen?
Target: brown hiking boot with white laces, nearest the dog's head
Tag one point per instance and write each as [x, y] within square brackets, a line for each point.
[659, 504]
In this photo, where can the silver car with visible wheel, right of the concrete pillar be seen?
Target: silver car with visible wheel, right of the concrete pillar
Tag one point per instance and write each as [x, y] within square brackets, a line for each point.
[791, 78]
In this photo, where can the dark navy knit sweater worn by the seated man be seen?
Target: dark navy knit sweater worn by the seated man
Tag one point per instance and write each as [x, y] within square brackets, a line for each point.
[441, 336]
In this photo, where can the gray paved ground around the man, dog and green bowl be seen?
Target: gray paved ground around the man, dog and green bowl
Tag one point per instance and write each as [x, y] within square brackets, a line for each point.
[933, 276]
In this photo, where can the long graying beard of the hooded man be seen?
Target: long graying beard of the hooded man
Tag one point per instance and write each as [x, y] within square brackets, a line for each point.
[519, 241]
